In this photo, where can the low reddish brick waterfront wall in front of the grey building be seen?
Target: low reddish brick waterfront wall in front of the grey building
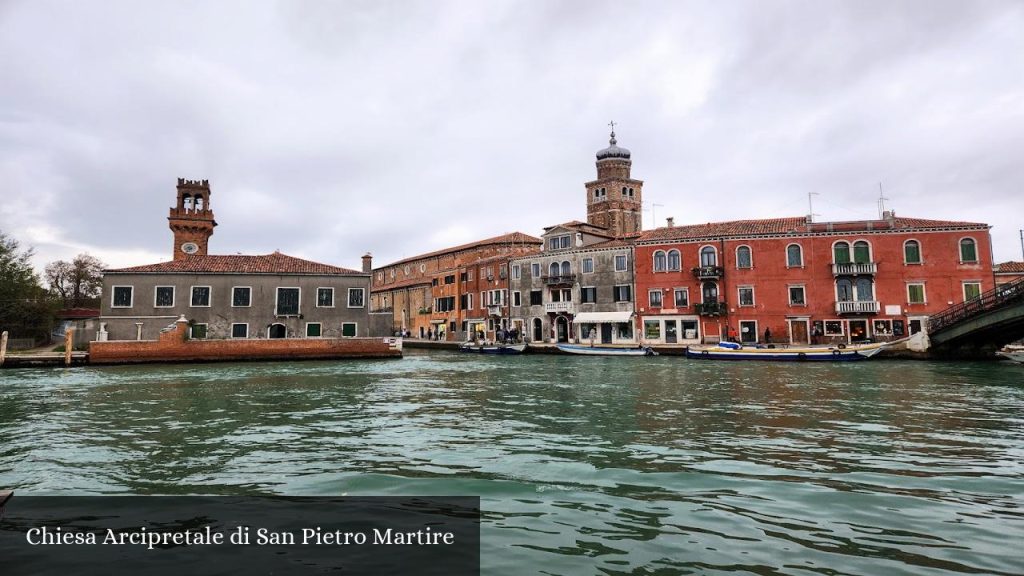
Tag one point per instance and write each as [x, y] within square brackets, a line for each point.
[173, 347]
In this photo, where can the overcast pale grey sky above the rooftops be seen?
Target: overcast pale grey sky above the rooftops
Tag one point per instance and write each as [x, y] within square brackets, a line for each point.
[329, 130]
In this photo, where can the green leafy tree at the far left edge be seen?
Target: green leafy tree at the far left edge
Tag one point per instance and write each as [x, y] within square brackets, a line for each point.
[25, 310]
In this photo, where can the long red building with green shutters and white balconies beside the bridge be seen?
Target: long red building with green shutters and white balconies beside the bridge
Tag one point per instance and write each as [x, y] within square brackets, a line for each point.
[790, 281]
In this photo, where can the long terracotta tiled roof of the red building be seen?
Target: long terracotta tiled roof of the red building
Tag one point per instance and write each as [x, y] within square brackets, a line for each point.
[794, 226]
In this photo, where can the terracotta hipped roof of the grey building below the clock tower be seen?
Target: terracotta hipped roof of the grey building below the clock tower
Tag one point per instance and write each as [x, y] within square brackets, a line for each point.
[267, 264]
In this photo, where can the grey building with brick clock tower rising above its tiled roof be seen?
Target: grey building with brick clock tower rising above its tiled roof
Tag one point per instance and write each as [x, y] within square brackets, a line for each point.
[232, 297]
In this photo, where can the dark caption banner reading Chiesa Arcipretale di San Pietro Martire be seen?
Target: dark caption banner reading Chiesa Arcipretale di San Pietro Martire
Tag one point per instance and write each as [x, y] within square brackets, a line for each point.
[158, 536]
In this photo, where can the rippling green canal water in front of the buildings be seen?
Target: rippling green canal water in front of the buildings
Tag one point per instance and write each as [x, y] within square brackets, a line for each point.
[585, 466]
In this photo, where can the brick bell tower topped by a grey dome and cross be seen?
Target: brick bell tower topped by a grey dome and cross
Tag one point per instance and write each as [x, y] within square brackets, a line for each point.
[615, 200]
